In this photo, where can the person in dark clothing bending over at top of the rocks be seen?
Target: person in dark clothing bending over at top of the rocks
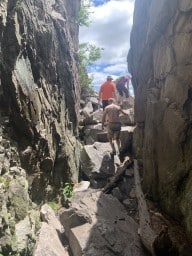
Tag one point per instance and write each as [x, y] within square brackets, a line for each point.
[122, 87]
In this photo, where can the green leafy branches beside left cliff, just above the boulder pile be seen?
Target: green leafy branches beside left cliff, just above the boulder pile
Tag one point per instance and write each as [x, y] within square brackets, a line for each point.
[88, 54]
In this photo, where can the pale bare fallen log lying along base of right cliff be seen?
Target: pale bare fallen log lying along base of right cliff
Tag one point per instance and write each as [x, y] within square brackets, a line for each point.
[146, 233]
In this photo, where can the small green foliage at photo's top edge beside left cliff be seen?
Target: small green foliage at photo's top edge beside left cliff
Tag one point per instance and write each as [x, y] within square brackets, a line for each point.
[84, 14]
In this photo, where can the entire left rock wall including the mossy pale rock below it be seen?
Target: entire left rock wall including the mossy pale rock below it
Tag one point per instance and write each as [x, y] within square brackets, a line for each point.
[39, 99]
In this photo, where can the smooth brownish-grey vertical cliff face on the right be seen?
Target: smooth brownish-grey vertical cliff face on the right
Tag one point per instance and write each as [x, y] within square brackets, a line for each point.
[160, 61]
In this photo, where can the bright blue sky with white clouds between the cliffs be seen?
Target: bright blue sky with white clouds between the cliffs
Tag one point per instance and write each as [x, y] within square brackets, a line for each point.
[111, 22]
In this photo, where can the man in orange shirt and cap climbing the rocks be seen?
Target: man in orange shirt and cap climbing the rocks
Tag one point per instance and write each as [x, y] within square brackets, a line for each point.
[107, 90]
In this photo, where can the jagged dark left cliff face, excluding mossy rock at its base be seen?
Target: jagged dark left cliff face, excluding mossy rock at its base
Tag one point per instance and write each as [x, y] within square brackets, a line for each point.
[39, 90]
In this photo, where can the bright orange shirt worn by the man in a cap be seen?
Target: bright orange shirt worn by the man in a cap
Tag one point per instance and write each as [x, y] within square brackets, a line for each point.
[107, 90]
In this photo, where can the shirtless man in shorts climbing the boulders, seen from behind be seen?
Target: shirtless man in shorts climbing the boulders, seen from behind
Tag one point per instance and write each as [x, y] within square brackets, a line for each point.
[111, 114]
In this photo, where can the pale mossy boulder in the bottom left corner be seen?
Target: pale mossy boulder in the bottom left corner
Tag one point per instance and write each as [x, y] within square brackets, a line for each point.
[19, 218]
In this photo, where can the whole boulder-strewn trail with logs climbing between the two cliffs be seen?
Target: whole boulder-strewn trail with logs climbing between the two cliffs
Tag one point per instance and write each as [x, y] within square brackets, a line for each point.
[109, 214]
